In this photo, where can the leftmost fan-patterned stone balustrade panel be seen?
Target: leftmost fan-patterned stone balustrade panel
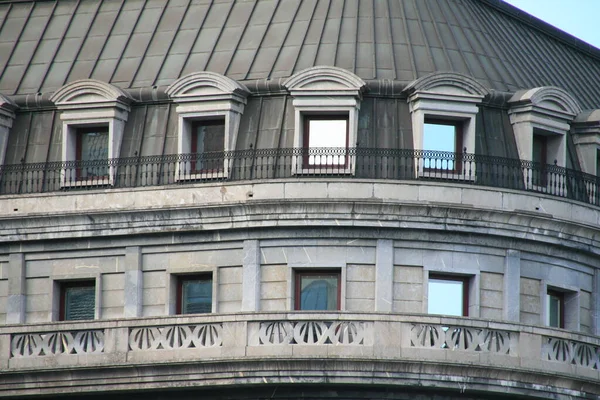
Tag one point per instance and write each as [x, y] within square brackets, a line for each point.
[55, 343]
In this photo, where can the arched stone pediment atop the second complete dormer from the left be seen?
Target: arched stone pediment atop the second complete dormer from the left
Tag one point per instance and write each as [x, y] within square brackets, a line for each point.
[205, 84]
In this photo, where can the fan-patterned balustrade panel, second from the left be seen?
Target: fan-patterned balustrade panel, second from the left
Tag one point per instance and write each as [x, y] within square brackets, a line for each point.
[176, 337]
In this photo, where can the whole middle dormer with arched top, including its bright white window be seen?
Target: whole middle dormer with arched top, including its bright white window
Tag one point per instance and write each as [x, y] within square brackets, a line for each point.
[326, 104]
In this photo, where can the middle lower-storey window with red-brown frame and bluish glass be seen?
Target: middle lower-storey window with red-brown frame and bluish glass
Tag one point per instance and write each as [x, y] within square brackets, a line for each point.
[317, 290]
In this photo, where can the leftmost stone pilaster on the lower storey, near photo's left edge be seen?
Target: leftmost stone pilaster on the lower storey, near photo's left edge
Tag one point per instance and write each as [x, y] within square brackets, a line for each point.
[15, 306]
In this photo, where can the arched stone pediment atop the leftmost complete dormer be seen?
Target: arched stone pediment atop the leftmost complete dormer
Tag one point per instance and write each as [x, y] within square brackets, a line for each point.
[88, 91]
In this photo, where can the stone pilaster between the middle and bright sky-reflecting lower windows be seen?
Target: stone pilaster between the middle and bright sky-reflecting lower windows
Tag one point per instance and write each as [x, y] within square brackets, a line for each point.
[384, 275]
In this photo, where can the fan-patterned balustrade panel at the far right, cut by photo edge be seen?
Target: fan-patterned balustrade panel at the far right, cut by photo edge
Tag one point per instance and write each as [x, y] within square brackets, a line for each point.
[571, 352]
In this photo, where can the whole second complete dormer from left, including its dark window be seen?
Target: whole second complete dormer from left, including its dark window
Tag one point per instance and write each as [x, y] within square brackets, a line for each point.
[209, 106]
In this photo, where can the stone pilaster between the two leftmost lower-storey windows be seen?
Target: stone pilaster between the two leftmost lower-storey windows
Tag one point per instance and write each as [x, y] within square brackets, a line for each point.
[133, 282]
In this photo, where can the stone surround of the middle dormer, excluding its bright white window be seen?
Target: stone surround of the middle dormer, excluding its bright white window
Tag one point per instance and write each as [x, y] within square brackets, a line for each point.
[325, 90]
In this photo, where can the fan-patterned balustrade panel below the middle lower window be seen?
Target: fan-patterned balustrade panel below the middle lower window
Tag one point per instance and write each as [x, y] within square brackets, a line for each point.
[351, 333]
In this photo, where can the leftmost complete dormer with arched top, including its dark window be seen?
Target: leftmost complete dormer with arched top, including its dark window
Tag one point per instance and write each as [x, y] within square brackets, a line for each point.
[94, 115]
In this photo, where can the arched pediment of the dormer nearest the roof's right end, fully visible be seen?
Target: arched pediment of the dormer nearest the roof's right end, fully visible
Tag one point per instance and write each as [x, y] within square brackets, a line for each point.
[548, 98]
